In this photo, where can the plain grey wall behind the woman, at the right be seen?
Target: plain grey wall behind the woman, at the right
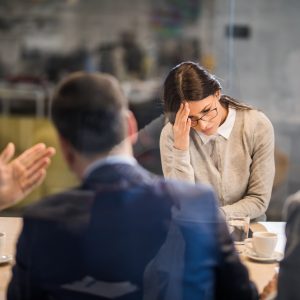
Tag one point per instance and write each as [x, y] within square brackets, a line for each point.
[263, 70]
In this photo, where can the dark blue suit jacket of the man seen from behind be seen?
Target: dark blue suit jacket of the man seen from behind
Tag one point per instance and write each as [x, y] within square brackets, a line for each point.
[124, 234]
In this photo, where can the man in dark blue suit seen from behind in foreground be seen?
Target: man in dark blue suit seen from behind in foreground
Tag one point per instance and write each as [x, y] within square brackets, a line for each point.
[123, 233]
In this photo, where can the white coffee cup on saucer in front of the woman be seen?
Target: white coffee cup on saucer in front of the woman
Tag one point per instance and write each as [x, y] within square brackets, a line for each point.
[264, 243]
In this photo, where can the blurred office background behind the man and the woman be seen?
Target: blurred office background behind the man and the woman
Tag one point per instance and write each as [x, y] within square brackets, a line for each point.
[251, 46]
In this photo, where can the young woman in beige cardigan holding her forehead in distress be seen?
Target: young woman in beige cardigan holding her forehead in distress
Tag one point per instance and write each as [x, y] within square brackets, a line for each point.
[212, 138]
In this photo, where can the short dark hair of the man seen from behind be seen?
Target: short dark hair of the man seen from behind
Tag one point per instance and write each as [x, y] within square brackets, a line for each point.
[88, 111]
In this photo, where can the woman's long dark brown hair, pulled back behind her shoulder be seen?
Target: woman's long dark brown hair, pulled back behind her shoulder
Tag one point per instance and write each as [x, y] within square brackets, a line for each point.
[189, 81]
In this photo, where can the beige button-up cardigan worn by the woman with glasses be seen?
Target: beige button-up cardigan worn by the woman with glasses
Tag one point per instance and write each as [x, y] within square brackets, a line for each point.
[244, 182]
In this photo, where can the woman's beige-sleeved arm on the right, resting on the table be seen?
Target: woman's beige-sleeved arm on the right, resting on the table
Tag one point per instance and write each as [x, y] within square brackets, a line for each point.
[262, 171]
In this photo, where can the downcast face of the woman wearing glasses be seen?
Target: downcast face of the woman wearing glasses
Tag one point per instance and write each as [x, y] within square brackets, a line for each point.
[207, 114]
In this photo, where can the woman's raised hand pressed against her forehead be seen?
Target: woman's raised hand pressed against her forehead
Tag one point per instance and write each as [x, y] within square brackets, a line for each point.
[182, 127]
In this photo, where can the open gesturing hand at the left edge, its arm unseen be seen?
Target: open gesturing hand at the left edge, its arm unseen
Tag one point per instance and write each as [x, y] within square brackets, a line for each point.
[23, 174]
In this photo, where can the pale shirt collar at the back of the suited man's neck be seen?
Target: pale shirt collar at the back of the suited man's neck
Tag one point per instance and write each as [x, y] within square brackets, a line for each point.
[113, 159]
